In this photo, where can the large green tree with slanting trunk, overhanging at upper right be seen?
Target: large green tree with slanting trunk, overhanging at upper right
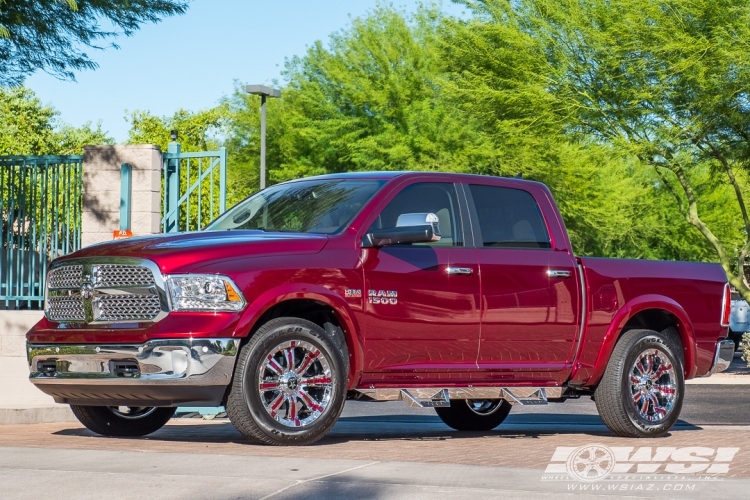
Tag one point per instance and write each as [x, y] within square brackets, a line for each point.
[664, 82]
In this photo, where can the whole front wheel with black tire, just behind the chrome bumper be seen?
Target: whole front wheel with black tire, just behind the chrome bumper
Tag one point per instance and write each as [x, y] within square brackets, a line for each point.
[253, 411]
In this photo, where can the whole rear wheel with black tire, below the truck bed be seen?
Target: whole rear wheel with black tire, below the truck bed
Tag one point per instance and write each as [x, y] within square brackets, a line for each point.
[630, 407]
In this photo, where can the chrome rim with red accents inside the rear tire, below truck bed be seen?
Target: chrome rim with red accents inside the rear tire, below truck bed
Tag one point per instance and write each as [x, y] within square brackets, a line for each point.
[653, 385]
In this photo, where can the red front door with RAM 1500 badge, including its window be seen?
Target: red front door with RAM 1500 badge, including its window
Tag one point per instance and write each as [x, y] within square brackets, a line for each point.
[422, 300]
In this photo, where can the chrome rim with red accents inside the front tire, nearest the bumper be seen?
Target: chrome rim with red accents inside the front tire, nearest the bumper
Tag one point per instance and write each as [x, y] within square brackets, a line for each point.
[295, 383]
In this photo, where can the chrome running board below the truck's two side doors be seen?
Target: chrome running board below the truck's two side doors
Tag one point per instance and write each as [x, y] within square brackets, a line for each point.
[432, 397]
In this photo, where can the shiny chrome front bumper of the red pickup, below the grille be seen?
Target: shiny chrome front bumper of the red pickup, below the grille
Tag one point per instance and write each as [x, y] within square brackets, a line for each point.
[175, 372]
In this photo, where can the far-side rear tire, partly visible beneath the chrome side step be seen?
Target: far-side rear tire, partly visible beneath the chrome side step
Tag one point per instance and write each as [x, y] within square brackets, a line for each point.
[474, 414]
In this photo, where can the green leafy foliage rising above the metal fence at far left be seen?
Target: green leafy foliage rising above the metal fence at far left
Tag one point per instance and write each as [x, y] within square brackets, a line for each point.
[28, 127]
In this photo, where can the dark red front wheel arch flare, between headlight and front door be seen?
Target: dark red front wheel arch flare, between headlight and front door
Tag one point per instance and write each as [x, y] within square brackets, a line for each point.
[314, 303]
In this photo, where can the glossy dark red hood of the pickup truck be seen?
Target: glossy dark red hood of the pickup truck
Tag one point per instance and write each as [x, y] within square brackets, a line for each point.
[182, 252]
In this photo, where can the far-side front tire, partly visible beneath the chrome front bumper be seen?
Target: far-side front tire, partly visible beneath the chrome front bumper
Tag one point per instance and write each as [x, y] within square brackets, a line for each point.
[111, 421]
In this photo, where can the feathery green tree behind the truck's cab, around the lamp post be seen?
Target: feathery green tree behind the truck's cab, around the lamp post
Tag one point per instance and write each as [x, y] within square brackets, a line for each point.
[369, 100]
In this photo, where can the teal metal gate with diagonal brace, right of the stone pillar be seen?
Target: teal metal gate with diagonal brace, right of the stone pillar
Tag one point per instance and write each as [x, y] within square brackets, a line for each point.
[194, 187]
